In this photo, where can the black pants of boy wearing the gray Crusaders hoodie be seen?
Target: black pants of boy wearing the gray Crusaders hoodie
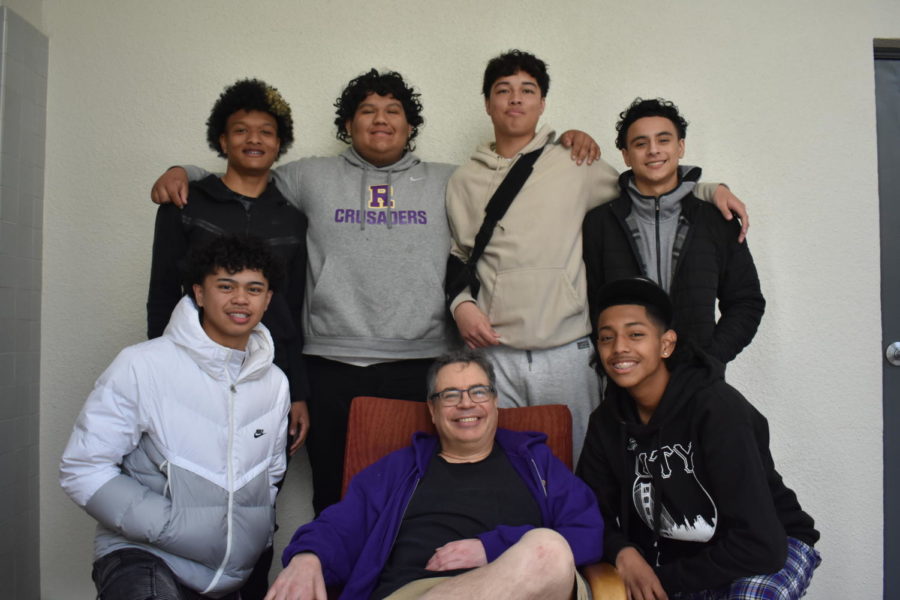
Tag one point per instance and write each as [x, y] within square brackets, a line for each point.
[332, 387]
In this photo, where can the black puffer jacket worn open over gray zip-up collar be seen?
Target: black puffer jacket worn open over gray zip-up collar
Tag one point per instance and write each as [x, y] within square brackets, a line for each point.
[711, 265]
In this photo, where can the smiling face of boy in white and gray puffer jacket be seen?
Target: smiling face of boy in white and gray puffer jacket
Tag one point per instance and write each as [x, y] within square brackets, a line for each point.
[233, 304]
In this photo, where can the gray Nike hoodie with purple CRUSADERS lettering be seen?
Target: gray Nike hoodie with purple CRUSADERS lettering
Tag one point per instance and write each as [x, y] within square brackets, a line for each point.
[378, 242]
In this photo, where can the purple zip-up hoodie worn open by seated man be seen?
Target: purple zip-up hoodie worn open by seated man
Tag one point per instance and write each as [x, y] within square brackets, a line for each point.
[353, 539]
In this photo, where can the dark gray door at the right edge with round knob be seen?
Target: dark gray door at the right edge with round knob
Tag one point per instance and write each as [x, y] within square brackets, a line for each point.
[887, 101]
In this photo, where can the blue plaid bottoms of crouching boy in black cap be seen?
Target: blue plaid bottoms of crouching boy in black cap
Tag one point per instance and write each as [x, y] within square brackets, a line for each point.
[789, 583]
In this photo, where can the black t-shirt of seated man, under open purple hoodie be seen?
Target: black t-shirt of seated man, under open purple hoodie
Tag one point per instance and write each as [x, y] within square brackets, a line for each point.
[455, 501]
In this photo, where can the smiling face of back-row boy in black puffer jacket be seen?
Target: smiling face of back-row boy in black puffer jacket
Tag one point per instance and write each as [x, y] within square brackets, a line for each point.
[653, 150]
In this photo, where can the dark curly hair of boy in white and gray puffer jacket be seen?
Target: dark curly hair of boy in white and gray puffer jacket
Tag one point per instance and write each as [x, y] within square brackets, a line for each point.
[234, 253]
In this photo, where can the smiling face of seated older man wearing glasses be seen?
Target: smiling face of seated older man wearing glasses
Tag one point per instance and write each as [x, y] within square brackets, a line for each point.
[466, 429]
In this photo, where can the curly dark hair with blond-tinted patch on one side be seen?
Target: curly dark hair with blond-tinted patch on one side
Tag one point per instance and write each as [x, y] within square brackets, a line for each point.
[250, 94]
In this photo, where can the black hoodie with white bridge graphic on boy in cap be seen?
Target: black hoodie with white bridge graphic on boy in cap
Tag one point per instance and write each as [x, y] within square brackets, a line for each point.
[695, 489]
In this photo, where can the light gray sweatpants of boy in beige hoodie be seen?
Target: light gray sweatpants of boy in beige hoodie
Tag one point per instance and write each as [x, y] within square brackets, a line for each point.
[560, 375]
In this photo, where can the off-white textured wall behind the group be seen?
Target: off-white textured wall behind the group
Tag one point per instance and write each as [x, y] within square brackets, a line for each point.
[780, 96]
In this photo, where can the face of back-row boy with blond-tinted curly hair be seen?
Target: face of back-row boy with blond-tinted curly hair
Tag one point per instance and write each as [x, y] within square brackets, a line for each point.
[250, 142]
